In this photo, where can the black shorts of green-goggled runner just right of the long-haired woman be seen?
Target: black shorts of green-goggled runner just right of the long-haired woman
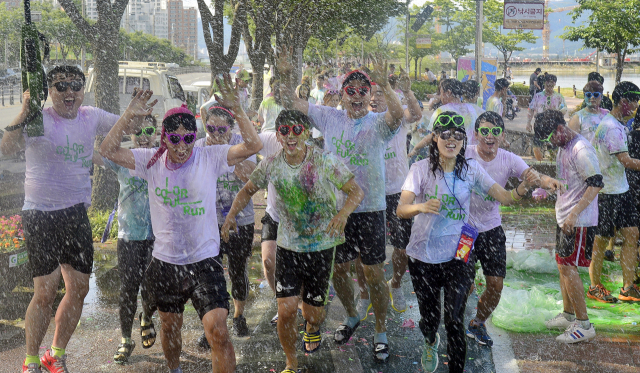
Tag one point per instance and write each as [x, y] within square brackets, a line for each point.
[490, 249]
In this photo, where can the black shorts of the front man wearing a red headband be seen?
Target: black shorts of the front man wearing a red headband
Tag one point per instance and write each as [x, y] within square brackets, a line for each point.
[169, 286]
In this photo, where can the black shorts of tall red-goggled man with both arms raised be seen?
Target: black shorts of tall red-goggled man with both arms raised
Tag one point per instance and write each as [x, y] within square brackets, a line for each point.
[364, 235]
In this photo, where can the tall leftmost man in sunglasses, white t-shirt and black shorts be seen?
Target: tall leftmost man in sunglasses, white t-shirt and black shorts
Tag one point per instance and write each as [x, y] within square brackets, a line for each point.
[57, 193]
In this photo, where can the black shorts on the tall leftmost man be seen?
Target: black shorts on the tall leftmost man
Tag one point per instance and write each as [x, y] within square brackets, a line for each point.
[58, 237]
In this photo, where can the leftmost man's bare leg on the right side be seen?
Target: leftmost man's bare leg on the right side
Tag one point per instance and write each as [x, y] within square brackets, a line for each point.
[70, 308]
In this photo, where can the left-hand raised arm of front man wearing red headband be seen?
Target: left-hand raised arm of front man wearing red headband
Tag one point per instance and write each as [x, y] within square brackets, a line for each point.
[111, 145]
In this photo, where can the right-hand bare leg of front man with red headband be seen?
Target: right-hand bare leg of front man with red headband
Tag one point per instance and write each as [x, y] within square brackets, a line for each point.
[223, 358]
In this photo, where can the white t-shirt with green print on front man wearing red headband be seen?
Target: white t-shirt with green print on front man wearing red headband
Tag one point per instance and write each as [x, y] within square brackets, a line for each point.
[183, 203]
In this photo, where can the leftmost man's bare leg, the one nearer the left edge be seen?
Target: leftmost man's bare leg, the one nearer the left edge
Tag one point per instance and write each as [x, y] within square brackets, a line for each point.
[38, 314]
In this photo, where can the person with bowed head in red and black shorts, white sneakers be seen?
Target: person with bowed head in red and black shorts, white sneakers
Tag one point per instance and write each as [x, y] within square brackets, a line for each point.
[577, 217]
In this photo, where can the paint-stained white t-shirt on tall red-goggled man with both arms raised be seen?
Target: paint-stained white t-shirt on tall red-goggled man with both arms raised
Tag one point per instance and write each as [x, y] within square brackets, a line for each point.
[360, 144]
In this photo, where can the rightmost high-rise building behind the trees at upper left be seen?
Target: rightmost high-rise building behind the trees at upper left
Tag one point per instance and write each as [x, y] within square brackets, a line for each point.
[183, 26]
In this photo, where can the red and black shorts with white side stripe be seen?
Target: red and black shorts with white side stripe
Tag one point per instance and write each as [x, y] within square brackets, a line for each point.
[575, 250]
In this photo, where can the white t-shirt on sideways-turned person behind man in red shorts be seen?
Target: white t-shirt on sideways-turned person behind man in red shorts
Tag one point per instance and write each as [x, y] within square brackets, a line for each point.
[611, 139]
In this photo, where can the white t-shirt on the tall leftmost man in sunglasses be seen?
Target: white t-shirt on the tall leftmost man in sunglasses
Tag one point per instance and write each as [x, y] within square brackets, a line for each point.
[58, 163]
